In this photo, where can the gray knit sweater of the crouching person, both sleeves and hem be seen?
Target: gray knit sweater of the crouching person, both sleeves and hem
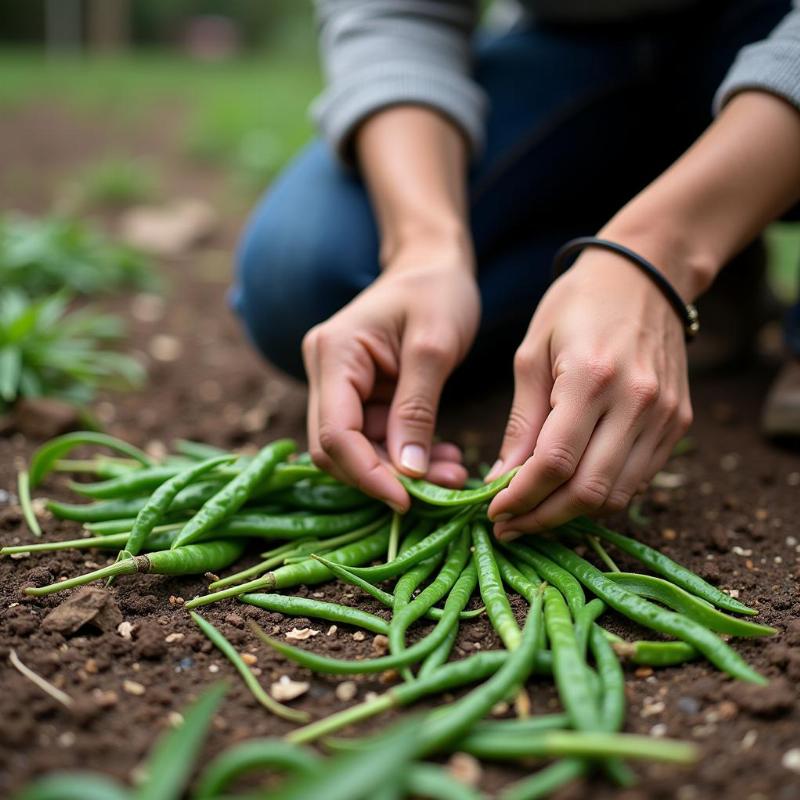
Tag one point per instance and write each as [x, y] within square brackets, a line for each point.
[377, 53]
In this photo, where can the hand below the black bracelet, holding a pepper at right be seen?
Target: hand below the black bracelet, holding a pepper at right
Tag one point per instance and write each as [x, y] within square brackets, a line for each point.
[601, 397]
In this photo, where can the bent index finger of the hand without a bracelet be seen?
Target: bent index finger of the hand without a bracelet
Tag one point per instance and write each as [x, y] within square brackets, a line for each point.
[346, 379]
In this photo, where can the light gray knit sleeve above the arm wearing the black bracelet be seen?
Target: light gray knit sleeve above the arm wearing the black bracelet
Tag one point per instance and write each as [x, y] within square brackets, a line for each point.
[771, 65]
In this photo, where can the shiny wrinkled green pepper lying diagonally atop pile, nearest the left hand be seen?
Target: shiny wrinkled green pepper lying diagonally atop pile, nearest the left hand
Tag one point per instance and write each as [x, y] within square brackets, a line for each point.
[235, 494]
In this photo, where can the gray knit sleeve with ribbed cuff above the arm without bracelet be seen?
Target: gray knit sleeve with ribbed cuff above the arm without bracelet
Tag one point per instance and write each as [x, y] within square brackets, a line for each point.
[380, 53]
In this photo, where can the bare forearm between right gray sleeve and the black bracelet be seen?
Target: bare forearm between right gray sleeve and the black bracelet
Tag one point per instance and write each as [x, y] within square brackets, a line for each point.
[738, 177]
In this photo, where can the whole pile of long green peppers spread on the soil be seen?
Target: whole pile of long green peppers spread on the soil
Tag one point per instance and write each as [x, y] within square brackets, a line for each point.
[200, 509]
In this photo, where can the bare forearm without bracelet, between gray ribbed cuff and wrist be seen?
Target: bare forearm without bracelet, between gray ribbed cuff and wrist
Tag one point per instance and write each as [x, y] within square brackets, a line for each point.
[414, 162]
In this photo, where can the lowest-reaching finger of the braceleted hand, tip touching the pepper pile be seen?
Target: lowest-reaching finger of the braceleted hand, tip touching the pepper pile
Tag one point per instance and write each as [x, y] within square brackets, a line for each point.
[588, 490]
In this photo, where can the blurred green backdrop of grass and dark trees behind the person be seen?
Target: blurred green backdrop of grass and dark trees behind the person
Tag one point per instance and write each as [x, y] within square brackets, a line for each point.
[239, 74]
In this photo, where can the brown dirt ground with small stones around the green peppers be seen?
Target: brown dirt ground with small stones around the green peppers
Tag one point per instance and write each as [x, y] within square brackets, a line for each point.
[730, 512]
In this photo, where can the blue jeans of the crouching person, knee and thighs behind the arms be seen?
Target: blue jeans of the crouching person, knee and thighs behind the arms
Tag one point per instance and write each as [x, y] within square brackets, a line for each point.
[581, 119]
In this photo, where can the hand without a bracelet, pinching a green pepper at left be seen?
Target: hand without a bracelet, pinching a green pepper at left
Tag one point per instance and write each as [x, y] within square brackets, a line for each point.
[376, 370]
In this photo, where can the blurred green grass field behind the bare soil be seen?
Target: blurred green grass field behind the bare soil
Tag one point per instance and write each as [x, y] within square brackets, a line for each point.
[248, 115]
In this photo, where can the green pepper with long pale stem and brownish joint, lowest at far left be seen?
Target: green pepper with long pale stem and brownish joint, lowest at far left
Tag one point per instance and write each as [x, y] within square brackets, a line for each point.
[190, 560]
